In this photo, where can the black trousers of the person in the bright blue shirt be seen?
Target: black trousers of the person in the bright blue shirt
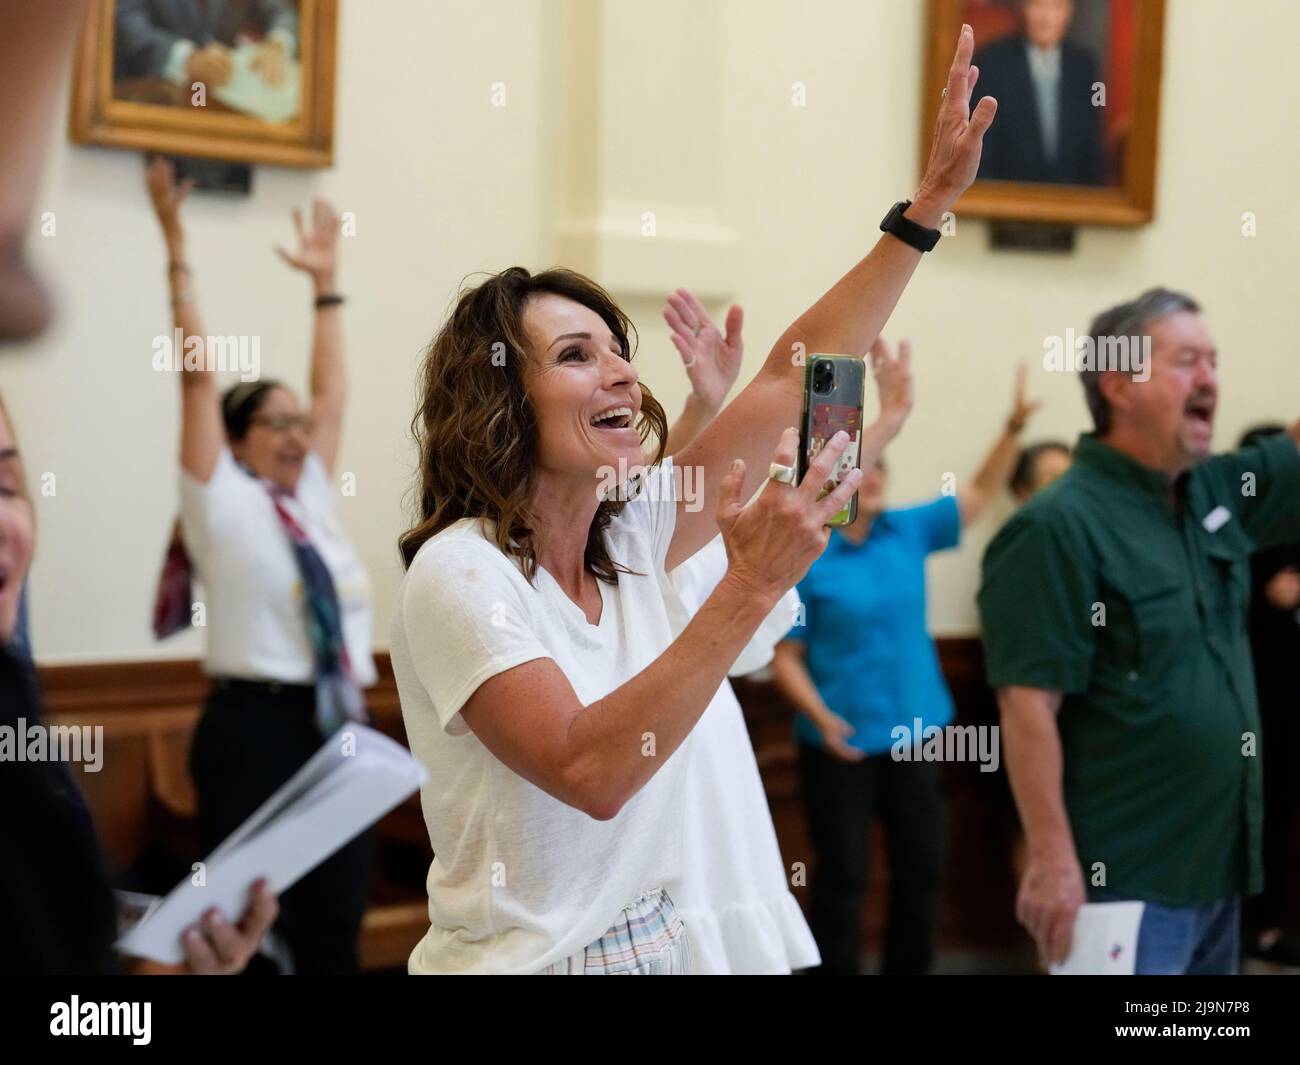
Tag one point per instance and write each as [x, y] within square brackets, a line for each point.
[842, 800]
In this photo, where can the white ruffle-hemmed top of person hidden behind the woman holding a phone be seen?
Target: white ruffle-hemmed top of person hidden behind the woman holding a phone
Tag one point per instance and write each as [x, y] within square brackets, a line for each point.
[734, 897]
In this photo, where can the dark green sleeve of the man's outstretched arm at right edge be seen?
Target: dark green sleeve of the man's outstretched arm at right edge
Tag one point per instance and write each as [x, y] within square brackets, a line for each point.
[1262, 486]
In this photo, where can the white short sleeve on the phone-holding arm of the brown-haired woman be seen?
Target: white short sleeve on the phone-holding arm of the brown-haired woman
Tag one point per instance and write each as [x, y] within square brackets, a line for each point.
[466, 621]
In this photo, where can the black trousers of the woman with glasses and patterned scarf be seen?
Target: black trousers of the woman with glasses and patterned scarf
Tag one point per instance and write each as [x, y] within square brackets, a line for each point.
[250, 741]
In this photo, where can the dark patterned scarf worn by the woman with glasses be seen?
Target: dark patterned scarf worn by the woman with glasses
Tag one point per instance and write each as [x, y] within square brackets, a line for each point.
[339, 700]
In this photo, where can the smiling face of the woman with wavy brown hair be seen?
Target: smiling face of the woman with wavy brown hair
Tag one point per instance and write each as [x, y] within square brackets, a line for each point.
[583, 391]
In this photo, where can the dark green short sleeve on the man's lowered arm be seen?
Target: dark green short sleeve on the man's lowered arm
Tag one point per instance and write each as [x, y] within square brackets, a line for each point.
[1035, 601]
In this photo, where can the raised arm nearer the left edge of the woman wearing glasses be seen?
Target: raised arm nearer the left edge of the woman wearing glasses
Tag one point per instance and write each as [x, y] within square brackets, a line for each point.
[202, 432]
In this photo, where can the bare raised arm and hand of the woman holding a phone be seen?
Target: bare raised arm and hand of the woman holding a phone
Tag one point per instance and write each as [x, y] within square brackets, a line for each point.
[843, 322]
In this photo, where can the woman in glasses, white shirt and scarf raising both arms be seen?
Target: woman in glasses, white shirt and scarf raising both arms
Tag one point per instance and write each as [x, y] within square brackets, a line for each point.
[287, 604]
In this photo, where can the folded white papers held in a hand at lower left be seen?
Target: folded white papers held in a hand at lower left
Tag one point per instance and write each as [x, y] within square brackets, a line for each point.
[352, 782]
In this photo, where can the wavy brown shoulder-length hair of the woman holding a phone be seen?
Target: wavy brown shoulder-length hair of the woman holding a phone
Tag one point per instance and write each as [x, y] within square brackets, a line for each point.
[476, 428]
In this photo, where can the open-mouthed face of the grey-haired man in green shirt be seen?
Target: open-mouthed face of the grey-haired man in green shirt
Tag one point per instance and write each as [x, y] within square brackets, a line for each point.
[1172, 415]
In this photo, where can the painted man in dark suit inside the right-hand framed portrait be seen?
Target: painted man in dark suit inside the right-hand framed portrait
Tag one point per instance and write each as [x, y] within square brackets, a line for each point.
[1046, 80]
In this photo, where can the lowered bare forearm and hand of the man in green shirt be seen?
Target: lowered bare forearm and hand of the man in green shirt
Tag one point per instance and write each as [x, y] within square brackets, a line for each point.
[1052, 889]
